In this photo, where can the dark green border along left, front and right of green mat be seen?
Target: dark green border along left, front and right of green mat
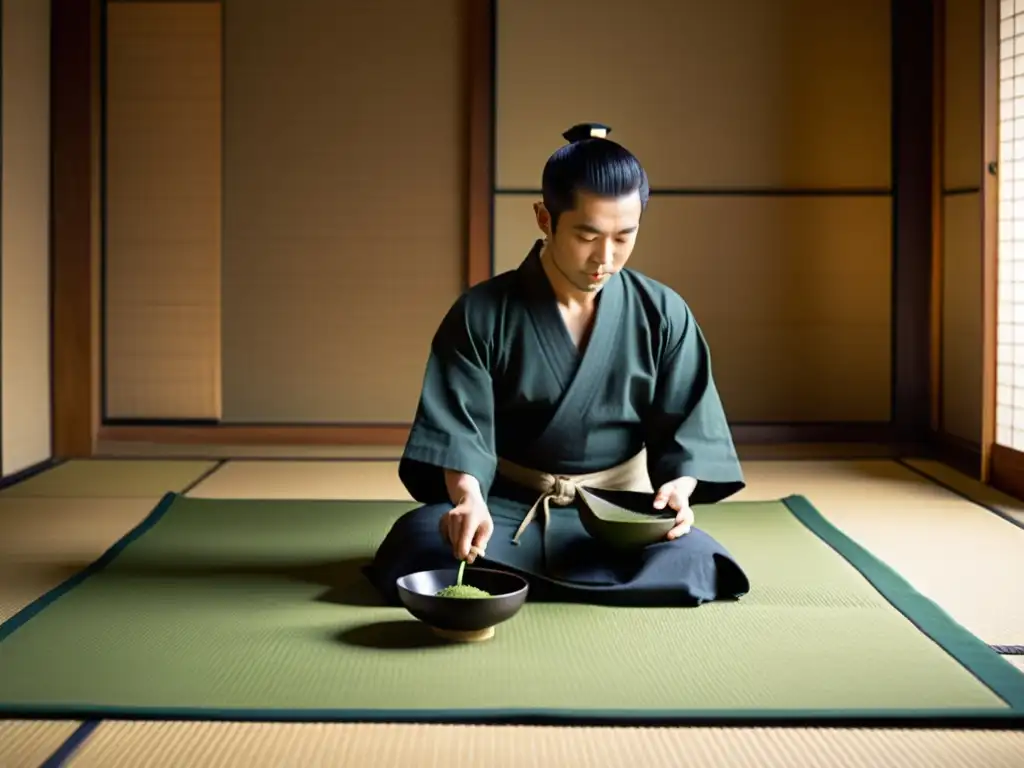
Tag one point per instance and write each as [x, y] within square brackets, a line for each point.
[1002, 677]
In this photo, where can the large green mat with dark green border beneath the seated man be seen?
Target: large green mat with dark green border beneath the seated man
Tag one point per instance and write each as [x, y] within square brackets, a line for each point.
[258, 611]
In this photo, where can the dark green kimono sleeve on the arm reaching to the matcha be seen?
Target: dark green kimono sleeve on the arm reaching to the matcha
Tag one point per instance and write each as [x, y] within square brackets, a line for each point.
[454, 425]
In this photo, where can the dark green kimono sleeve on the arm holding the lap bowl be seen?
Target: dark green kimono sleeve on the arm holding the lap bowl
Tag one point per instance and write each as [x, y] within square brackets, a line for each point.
[687, 430]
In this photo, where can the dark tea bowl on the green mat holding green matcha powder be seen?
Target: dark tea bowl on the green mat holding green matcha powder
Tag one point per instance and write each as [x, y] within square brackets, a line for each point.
[460, 619]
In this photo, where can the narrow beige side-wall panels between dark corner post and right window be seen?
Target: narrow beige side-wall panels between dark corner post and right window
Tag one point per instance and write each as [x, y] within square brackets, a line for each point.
[962, 241]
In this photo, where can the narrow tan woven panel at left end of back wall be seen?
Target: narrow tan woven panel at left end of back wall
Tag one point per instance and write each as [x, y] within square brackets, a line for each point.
[163, 210]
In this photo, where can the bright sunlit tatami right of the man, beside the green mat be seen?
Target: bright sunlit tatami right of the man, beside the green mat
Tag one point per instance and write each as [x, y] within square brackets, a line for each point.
[956, 552]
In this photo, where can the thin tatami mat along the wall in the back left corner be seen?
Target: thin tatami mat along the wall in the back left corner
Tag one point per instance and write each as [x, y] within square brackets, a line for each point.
[103, 479]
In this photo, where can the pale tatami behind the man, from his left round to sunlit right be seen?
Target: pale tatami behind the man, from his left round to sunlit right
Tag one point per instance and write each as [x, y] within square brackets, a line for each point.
[930, 535]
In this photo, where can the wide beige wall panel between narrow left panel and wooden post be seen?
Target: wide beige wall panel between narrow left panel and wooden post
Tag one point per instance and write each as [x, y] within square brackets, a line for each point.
[344, 204]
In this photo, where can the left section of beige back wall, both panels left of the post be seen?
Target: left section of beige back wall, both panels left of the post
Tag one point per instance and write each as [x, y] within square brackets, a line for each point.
[295, 273]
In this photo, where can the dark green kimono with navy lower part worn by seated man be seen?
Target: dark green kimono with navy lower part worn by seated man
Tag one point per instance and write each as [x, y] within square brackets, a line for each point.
[504, 379]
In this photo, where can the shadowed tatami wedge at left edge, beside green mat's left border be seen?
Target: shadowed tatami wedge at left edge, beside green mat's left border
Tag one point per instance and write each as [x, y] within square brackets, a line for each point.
[46, 541]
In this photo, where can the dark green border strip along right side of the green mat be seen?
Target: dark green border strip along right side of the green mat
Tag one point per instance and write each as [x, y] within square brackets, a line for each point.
[970, 652]
